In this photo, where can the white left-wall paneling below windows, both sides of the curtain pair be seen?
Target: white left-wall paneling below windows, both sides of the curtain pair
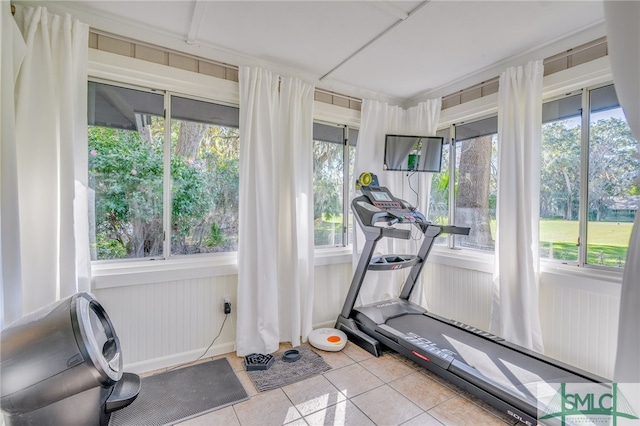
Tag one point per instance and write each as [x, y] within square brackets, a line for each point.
[166, 322]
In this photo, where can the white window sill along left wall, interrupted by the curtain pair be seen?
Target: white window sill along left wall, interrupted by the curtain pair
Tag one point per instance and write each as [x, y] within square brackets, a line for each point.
[138, 272]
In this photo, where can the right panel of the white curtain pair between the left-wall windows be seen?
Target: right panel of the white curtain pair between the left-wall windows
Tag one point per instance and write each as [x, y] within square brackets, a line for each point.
[295, 211]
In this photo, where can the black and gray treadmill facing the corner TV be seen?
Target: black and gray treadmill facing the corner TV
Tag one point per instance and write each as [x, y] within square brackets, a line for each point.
[513, 379]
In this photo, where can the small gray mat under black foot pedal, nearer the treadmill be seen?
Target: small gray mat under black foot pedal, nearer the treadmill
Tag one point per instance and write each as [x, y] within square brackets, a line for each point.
[283, 373]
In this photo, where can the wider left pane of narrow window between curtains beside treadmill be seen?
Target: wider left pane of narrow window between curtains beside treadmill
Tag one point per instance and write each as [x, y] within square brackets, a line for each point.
[328, 183]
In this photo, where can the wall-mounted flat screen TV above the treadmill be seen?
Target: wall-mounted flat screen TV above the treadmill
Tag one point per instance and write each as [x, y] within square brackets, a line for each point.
[413, 153]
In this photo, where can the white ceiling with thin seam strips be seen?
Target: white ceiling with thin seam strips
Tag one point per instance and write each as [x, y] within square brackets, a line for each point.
[395, 50]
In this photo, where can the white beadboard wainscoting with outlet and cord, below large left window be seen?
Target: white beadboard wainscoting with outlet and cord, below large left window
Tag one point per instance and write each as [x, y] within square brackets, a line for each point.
[167, 323]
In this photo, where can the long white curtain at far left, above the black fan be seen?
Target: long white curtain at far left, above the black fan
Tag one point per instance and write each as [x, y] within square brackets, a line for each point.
[50, 164]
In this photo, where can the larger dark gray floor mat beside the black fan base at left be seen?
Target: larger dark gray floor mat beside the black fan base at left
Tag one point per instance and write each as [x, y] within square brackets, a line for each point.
[183, 393]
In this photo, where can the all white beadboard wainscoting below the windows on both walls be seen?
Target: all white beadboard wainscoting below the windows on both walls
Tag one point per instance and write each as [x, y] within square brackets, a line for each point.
[163, 322]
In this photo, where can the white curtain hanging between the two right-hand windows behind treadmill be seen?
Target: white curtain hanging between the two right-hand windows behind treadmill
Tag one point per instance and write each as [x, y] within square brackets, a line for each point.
[514, 314]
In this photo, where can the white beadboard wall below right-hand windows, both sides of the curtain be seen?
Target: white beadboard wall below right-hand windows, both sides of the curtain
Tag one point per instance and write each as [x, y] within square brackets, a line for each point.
[578, 309]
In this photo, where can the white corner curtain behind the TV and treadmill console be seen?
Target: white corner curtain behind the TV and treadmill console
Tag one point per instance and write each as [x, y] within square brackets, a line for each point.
[379, 119]
